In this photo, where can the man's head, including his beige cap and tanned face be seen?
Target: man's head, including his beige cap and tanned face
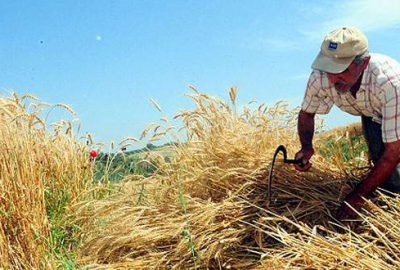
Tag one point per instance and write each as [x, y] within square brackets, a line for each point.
[343, 56]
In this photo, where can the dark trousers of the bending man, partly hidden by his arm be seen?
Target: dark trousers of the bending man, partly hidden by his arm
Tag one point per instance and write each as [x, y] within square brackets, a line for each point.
[373, 136]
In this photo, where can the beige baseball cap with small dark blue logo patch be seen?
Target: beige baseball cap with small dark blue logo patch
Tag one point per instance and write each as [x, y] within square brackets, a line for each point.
[339, 49]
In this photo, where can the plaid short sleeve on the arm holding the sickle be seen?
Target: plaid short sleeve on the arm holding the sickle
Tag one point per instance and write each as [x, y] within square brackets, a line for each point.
[314, 100]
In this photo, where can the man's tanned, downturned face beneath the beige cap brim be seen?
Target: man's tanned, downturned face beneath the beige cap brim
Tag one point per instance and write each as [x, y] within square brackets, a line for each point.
[345, 80]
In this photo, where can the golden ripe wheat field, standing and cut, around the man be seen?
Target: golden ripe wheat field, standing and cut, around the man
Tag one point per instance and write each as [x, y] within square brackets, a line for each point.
[205, 207]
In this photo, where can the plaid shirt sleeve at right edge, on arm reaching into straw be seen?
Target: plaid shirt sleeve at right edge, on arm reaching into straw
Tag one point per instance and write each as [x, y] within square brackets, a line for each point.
[391, 112]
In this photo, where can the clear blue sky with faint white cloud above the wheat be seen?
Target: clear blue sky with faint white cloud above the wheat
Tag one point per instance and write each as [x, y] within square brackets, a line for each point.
[106, 59]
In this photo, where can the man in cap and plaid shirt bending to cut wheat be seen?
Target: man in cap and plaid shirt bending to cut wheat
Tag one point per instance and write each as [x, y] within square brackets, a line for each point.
[360, 83]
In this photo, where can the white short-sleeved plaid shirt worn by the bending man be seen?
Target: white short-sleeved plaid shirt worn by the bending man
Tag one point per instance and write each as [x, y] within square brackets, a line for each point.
[378, 96]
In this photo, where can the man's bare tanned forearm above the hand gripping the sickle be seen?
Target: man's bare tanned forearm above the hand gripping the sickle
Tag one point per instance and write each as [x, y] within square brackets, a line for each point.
[305, 127]
